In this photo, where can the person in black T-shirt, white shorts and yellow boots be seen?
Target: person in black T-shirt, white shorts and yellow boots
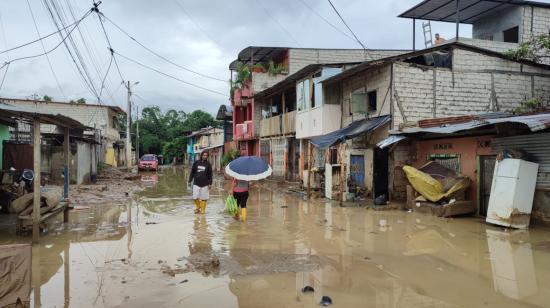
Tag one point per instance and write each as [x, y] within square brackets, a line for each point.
[201, 177]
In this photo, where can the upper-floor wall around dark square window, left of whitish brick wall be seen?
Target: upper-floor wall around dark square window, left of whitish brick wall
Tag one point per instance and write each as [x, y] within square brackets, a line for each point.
[379, 80]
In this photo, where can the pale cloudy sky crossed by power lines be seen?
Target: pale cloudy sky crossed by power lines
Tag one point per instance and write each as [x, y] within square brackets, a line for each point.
[203, 36]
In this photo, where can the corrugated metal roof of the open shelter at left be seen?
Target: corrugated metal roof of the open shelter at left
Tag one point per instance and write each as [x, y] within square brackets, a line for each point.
[45, 117]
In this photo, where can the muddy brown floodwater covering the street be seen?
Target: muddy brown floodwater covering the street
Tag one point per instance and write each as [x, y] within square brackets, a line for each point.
[154, 252]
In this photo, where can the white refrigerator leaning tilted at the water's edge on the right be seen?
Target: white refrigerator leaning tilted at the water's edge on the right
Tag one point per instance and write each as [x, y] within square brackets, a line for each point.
[512, 193]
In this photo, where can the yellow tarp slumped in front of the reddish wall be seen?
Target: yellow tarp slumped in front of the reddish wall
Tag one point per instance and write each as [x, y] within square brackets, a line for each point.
[430, 188]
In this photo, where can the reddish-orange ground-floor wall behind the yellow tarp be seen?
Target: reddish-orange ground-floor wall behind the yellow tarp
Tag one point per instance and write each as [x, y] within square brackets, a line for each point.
[468, 148]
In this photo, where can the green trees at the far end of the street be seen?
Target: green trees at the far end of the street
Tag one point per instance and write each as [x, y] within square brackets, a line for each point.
[163, 133]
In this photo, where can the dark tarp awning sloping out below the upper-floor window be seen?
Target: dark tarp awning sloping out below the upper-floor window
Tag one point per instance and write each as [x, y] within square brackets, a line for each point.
[353, 130]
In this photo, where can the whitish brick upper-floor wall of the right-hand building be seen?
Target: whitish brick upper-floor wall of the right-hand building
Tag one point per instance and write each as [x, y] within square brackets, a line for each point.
[478, 84]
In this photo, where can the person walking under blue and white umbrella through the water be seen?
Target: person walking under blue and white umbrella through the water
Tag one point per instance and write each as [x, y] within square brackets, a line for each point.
[243, 170]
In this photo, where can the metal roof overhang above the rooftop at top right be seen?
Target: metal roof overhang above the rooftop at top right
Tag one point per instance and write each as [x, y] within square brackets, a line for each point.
[469, 10]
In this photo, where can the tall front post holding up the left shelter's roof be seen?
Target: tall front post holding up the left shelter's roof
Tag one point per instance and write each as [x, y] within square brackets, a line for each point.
[36, 167]
